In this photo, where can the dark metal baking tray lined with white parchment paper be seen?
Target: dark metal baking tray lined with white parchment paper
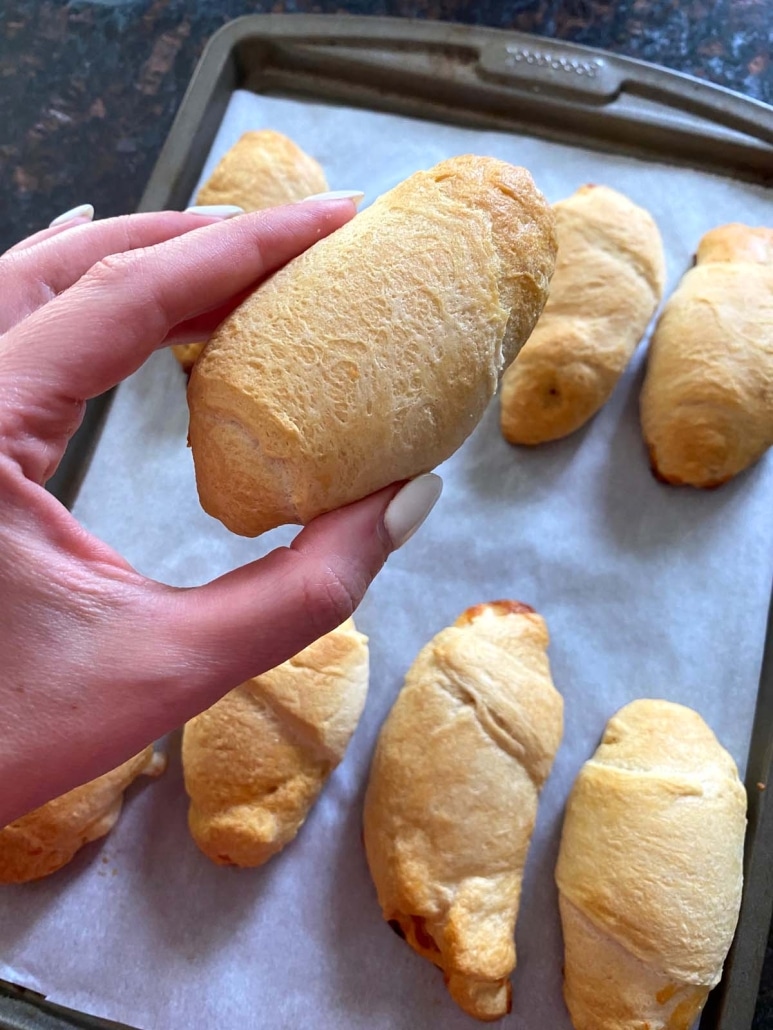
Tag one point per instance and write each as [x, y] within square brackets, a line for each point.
[510, 82]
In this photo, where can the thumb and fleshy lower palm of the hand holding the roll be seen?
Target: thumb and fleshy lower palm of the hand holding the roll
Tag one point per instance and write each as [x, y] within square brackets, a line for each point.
[104, 663]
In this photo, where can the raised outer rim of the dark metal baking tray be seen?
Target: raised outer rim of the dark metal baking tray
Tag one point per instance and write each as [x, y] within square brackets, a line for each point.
[31, 1010]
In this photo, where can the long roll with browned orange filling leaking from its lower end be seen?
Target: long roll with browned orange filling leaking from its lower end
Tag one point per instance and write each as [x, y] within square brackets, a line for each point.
[452, 801]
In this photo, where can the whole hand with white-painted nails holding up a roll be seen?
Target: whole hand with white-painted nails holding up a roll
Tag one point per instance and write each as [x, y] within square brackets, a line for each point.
[97, 661]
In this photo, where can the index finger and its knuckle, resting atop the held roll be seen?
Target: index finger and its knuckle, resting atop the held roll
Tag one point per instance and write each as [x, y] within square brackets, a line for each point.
[105, 327]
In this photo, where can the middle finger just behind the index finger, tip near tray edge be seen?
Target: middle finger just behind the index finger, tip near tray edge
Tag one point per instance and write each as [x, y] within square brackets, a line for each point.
[46, 265]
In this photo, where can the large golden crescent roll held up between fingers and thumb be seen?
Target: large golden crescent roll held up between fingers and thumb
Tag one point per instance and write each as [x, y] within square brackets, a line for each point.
[372, 357]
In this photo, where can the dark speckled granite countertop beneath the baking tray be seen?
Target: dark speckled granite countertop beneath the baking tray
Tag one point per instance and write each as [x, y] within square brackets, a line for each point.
[90, 90]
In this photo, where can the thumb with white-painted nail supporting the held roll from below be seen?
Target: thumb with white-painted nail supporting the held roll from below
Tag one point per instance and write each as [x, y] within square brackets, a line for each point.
[259, 616]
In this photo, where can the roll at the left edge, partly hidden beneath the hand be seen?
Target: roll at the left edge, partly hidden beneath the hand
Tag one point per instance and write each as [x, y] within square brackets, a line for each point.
[44, 841]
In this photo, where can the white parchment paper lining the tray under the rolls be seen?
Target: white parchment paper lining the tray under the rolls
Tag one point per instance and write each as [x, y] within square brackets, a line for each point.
[648, 592]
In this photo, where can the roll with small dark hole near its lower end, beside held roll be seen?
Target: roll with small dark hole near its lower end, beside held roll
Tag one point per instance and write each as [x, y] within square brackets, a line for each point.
[610, 278]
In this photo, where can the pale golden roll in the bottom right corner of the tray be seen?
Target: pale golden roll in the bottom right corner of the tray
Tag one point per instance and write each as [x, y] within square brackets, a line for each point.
[650, 872]
